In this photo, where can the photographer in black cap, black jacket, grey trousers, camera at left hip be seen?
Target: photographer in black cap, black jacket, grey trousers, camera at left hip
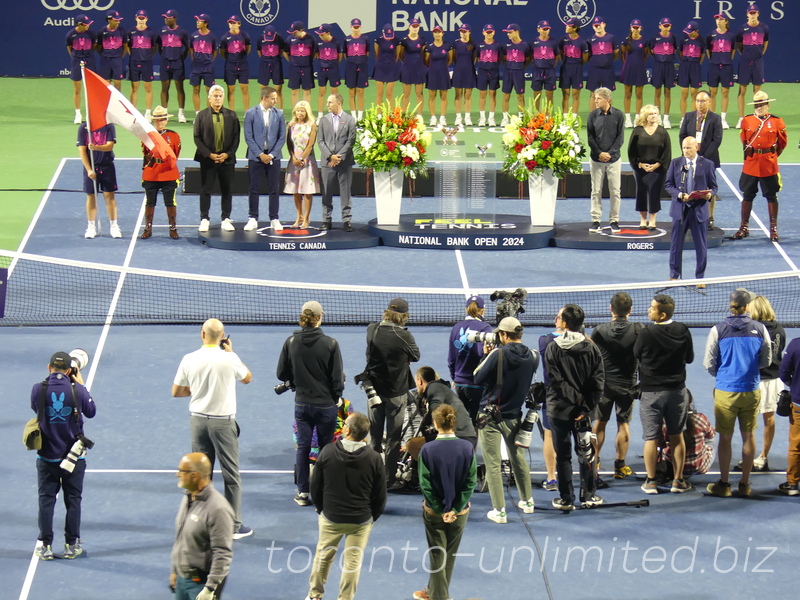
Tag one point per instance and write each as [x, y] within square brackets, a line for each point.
[390, 351]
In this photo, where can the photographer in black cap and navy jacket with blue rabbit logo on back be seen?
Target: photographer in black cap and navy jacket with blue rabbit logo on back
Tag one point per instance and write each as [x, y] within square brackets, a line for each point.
[64, 401]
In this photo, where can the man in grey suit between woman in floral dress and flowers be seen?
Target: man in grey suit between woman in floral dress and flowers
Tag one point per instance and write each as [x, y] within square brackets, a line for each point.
[335, 138]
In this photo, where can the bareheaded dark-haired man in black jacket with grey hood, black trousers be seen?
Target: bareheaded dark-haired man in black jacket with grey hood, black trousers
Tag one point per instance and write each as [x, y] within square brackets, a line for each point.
[575, 368]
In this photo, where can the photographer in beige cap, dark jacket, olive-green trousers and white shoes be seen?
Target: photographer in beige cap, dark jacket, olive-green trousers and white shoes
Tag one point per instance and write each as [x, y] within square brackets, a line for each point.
[506, 374]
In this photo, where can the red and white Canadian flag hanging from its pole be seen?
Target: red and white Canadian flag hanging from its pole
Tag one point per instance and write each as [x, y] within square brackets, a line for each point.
[106, 104]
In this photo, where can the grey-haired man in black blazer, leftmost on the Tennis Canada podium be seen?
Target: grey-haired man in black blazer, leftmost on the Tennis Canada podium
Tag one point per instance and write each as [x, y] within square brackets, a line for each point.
[216, 136]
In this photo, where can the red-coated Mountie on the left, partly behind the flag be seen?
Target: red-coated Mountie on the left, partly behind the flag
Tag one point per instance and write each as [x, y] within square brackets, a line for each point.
[161, 175]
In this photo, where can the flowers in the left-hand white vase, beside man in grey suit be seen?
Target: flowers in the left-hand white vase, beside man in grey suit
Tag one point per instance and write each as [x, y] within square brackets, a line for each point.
[392, 138]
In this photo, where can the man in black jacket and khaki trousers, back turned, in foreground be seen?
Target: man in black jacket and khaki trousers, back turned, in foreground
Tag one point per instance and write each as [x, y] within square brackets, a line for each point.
[349, 494]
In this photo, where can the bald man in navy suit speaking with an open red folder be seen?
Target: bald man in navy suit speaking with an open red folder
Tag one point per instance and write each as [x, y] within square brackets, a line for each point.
[689, 173]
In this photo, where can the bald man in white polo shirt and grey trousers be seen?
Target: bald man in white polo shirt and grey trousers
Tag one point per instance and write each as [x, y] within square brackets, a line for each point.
[209, 376]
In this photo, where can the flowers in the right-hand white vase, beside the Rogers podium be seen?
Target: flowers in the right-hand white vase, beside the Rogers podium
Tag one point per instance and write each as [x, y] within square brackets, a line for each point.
[542, 139]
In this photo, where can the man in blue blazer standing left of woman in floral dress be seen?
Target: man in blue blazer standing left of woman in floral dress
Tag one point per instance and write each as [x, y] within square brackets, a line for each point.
[265, 134]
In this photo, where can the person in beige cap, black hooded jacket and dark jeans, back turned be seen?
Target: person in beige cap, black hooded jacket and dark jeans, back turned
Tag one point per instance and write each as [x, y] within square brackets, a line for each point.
[312, 362]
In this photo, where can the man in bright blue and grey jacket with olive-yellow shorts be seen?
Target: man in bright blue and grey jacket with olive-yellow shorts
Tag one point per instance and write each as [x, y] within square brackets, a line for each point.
[735, 351]
